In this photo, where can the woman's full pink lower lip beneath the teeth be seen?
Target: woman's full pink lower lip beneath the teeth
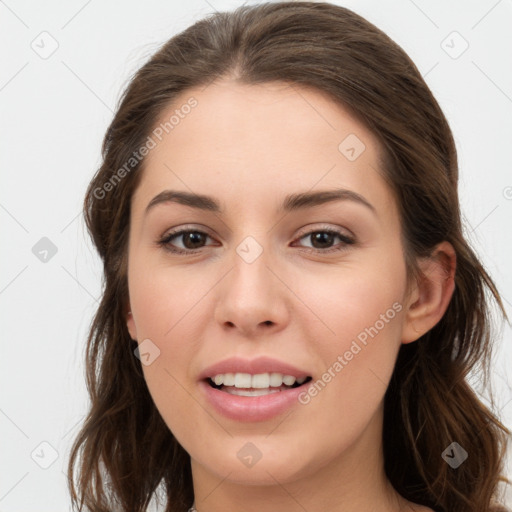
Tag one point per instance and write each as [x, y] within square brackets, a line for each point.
[251, 408]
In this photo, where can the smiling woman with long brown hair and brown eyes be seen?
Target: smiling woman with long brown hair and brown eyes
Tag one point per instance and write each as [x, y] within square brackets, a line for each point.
[238, 363]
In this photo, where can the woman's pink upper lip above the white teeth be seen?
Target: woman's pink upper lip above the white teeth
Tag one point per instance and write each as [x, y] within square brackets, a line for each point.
[252, 366]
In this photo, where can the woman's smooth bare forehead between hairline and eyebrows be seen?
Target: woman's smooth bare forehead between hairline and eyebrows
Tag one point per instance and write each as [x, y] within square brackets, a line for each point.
[260, 141]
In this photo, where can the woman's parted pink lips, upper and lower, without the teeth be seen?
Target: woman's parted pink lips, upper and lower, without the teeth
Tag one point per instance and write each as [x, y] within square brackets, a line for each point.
[247, 408]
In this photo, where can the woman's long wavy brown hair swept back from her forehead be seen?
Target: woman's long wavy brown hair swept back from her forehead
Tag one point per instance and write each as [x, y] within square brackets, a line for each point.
[126, 453]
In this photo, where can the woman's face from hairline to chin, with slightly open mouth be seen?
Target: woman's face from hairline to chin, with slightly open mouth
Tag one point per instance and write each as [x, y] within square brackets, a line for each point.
[273, 280]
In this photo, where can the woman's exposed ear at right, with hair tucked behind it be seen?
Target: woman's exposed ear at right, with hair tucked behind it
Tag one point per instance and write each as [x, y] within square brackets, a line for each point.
[431, 295]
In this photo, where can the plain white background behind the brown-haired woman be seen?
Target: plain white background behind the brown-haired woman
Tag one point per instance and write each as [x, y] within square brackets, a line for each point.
[64, 65]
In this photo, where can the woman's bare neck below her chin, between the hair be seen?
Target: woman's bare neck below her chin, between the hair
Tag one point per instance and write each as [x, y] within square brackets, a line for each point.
[350, 482]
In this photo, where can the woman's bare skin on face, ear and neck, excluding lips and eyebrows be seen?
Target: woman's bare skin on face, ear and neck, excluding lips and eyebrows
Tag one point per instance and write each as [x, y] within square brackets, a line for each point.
[248, 147]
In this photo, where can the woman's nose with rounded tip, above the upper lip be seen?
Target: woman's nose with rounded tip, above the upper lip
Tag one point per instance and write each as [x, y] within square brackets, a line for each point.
[252, 298]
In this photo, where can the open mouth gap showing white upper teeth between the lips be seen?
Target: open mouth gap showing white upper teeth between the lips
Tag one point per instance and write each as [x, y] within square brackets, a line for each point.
[253, 385]
